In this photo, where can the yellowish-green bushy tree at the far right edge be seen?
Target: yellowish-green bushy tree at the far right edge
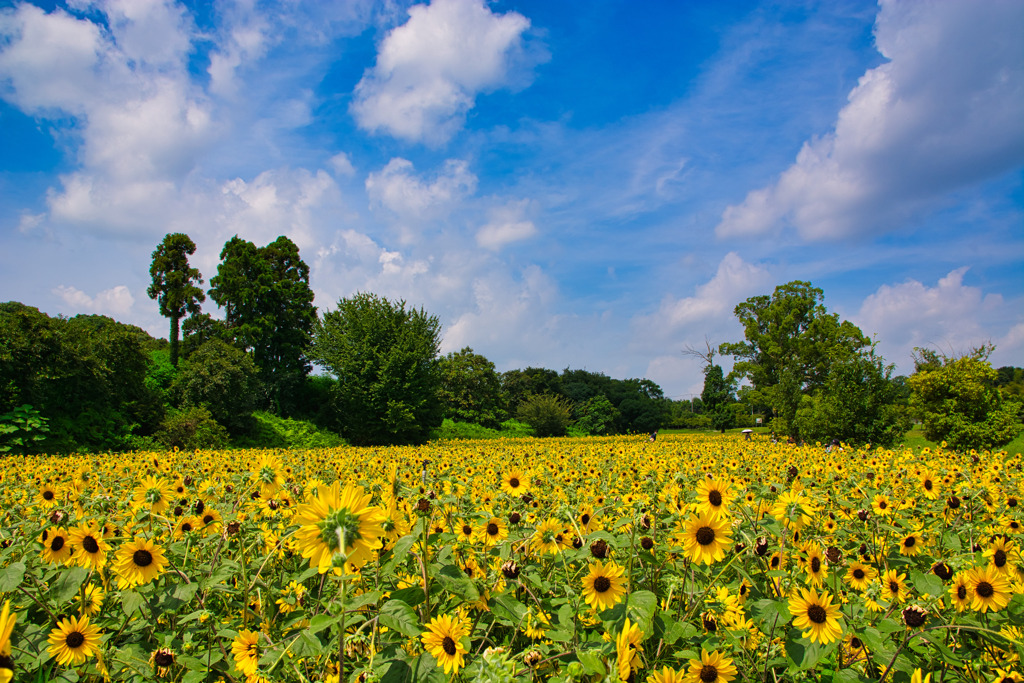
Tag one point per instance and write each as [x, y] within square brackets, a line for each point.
[958, 402]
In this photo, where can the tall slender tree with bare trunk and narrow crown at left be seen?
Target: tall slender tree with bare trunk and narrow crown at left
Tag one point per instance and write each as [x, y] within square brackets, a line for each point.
[176, 284]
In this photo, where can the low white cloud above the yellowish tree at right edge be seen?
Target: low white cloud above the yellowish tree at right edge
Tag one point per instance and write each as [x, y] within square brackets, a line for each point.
[952, 318]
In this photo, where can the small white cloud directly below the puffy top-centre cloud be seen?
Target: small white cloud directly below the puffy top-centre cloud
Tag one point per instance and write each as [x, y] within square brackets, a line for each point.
[400, 190]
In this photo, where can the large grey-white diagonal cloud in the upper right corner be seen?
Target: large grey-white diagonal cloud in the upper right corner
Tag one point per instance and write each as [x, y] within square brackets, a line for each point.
[945, 111]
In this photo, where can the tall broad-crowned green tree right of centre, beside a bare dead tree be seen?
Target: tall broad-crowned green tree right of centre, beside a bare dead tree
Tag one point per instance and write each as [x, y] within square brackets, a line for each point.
[791, 343]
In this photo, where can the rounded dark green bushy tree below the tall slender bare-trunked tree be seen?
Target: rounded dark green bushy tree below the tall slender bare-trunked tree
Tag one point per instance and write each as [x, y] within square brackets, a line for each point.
[224, 380]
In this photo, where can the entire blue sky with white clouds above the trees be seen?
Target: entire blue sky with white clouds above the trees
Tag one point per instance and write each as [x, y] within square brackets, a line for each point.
[564, 185]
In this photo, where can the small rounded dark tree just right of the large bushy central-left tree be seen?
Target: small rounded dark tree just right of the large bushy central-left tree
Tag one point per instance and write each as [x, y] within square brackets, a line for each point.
[472, 390]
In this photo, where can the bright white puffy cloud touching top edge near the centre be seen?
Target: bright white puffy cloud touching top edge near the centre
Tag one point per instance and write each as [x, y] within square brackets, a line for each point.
[431, 70]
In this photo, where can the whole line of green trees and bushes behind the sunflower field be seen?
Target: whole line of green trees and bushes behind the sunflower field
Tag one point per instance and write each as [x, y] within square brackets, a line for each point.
[245, 377]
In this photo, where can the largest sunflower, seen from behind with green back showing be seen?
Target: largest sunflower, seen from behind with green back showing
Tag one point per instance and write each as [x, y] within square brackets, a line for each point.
[338, 521]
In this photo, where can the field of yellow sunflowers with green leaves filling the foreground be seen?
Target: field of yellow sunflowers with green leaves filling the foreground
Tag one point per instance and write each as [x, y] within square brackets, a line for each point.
[691, 559]
